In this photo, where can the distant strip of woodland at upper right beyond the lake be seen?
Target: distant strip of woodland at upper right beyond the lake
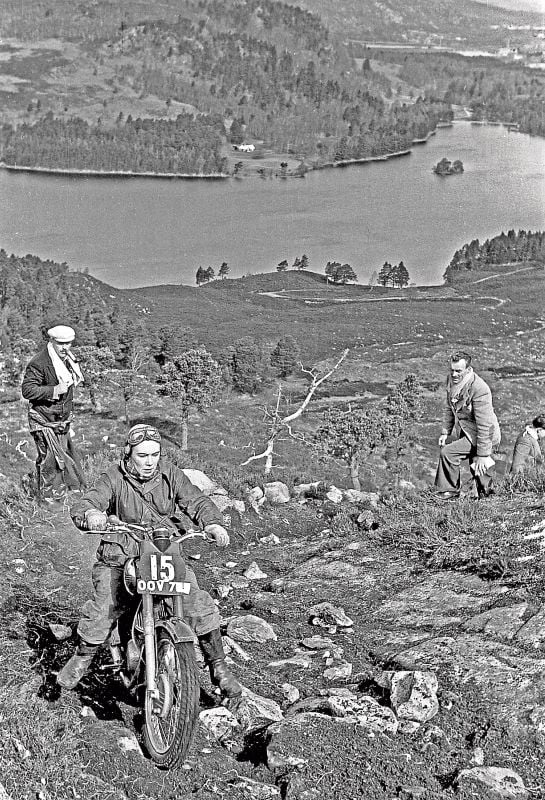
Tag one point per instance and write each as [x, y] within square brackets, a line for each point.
[492, 90]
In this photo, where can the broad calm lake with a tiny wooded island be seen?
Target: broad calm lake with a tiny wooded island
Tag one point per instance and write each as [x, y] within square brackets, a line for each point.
[137, 231]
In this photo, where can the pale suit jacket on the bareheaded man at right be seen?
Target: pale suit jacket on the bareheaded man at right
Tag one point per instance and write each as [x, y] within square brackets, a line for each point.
[472, 415]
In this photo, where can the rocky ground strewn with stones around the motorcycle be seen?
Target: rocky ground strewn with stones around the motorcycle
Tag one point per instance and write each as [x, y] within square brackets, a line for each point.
[367, 672]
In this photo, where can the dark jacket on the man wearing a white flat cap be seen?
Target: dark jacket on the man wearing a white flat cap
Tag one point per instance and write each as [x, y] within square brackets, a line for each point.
[39, 381]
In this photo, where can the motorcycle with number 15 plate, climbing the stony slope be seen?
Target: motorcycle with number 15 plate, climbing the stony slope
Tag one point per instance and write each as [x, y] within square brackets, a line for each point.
[156, 655]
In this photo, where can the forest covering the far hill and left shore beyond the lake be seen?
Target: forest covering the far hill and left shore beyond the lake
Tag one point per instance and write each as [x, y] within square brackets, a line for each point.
[265, 71]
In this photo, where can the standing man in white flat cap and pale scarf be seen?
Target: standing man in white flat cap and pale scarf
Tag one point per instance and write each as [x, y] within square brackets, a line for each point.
[48, 384]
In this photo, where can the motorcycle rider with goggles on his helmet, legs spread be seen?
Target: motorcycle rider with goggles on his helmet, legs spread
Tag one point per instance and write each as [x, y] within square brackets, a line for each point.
[146, 489]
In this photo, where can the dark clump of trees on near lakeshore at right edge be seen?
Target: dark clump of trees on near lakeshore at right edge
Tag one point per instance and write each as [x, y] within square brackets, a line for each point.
[507, 248]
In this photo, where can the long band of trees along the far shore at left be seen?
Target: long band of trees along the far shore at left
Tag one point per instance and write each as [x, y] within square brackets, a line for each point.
[186, 145]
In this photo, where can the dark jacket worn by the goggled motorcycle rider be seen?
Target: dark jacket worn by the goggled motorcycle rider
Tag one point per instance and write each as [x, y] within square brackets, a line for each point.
[154, 501]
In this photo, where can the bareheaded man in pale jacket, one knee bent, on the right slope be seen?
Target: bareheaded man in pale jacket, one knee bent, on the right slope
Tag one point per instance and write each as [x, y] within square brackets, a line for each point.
[471, 424]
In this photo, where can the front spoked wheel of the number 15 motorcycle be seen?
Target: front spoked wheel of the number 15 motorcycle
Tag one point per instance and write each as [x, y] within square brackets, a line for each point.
[172, 717]
